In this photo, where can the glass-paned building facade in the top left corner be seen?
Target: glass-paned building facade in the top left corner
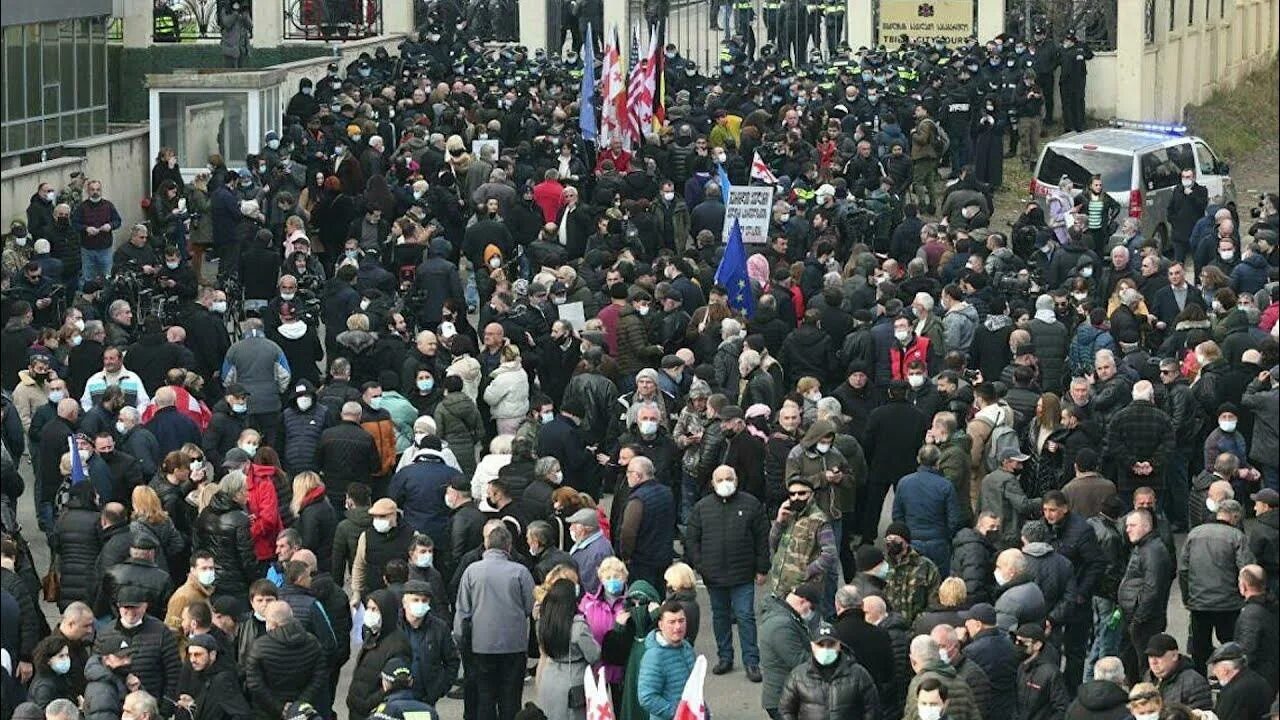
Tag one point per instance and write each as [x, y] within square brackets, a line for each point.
[54, 85]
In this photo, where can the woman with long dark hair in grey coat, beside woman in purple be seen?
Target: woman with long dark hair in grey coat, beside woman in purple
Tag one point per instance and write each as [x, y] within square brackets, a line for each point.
[569, 646]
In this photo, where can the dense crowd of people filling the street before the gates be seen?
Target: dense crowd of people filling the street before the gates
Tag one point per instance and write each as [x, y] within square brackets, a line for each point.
[467, 403]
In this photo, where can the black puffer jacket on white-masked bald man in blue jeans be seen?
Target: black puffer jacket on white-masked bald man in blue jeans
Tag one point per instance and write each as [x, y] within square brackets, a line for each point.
[728, 540]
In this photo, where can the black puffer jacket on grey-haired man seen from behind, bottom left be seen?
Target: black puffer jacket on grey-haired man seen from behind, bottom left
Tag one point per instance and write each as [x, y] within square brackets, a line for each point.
[284, 667]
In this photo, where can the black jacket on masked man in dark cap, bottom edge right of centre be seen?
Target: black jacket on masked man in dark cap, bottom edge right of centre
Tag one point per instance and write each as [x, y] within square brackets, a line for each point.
[816, 692]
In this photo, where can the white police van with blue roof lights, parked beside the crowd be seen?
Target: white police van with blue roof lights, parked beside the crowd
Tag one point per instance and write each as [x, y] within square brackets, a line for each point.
[1141, 167]
